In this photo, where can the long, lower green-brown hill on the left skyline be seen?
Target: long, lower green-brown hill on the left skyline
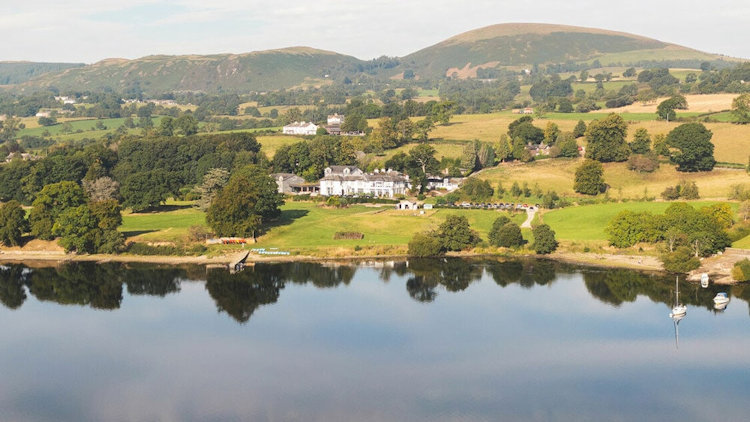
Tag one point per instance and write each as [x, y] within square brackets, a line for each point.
[256, 71]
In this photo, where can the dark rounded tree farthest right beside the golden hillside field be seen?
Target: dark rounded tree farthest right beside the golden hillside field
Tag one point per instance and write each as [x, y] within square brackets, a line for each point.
[695, 150]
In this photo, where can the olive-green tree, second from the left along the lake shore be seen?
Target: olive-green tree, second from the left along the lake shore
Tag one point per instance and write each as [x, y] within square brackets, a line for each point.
[51, 201]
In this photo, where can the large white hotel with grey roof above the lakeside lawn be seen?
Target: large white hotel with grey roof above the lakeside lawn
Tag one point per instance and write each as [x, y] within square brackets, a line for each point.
[350, 180]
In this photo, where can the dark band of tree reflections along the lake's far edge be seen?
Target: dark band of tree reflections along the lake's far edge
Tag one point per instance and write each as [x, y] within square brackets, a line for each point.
[100, 285]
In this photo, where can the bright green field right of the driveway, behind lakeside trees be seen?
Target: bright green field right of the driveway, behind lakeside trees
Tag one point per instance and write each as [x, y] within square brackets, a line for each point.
[588, 222]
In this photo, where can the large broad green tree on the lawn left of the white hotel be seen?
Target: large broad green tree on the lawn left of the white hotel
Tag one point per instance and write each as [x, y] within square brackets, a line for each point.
[245, 204]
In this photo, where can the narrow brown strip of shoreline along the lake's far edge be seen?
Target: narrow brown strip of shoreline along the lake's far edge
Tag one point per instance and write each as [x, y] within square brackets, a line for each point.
[601, 260]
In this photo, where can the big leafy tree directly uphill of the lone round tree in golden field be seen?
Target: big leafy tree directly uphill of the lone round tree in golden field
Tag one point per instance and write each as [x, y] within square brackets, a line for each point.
[606, 139]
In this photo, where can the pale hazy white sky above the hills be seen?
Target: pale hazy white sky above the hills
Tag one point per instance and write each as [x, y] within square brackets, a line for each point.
[91, 30]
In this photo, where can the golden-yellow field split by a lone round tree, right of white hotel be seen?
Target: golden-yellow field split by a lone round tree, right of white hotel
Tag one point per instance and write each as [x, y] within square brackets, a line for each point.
[558, 175]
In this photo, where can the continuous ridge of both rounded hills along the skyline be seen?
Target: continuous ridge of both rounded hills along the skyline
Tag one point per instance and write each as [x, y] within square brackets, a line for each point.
[504, 46]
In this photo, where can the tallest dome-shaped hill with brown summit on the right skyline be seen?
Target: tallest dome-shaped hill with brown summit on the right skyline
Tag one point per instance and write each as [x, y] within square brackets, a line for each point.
[522, 45]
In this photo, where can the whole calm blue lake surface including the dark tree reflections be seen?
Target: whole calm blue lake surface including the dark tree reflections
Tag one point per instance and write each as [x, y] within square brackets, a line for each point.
[428, 340]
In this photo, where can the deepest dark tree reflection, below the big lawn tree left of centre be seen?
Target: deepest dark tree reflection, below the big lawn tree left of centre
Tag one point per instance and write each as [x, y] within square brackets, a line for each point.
[240, 294]
